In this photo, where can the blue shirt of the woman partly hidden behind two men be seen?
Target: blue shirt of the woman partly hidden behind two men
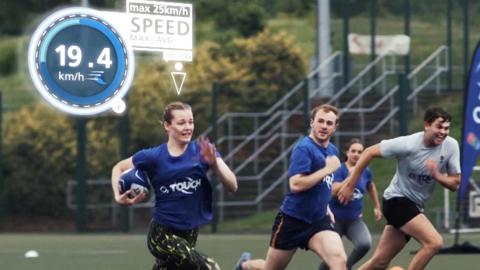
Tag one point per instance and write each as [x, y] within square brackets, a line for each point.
[353, 209]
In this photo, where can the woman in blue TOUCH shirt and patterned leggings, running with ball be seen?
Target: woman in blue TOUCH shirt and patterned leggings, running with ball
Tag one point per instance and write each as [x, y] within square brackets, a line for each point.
[183, 195]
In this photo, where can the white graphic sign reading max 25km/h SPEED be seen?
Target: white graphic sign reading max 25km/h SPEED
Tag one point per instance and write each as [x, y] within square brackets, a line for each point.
[158, 26]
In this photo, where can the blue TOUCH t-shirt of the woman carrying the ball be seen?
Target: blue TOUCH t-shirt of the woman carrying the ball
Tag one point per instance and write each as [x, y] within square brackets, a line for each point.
[183, 194]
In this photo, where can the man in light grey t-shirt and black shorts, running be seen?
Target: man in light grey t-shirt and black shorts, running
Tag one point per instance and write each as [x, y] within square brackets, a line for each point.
[423, 159]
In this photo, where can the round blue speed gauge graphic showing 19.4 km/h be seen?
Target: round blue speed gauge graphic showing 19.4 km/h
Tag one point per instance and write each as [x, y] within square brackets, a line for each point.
[79, 62]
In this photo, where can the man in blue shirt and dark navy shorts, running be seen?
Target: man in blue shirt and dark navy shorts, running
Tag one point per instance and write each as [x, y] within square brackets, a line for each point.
[302, 221]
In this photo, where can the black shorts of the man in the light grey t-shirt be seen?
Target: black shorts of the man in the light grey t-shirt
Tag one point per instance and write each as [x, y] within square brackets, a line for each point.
[399, 210]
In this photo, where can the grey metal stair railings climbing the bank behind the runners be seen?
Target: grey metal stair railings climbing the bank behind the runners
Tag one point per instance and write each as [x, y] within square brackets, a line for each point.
[278, 123]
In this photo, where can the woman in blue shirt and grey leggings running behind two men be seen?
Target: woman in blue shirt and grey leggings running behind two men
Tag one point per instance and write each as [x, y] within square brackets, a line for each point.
[348, 218]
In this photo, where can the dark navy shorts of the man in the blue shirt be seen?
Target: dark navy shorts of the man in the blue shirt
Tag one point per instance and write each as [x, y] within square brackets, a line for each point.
[290, 233]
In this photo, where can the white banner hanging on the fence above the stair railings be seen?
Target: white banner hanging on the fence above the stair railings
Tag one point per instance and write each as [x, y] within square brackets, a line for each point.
[390, 45]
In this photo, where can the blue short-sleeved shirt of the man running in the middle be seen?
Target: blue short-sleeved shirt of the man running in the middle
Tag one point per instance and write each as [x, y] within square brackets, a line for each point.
[310, 205]
